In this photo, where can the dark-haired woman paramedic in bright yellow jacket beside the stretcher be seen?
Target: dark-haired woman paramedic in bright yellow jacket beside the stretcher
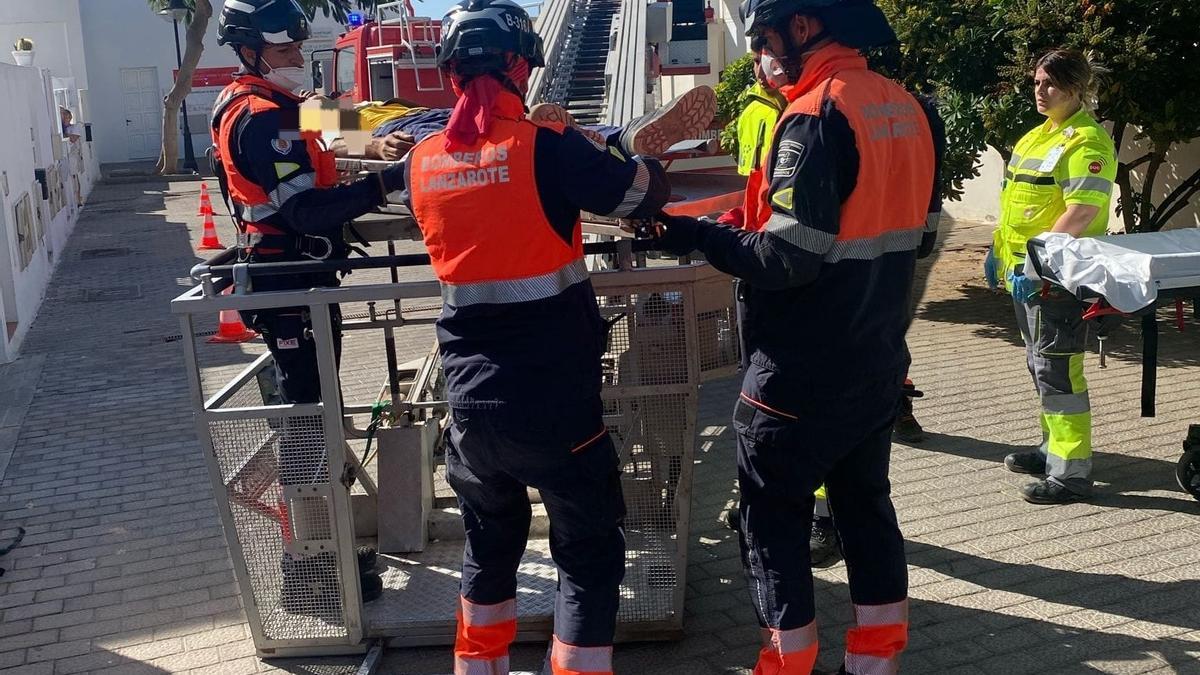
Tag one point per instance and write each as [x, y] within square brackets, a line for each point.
[1059, 180]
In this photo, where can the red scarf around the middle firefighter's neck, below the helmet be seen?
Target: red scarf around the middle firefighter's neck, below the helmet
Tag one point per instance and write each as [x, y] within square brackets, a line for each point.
[483, 99]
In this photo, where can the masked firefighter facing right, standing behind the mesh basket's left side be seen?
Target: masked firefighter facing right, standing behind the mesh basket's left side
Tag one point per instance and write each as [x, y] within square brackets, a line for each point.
[287, 206]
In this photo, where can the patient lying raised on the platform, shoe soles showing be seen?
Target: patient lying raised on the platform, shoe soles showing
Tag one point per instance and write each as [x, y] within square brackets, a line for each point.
[397, 127]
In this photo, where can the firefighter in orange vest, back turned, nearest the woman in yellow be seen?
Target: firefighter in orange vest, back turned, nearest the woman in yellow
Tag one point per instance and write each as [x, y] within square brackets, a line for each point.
[829, 255]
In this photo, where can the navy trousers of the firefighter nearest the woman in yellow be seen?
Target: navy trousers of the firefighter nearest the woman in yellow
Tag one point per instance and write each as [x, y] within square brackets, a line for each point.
[790, 444]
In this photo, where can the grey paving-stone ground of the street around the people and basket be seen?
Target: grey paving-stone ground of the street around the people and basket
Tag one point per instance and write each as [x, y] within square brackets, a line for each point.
[125, 570]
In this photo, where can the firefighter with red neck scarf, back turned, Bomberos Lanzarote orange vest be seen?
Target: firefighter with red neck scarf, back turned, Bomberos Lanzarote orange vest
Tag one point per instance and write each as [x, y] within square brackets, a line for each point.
[499, 201]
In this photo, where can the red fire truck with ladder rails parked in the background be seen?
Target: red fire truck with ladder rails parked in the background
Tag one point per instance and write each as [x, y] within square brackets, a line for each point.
[391, 56]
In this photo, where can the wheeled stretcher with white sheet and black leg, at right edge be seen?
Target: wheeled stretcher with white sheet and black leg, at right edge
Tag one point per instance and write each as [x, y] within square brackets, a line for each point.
[1130, 276]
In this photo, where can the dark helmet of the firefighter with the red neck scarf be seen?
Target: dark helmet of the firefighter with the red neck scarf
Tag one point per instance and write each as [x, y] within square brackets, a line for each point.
[487, 31]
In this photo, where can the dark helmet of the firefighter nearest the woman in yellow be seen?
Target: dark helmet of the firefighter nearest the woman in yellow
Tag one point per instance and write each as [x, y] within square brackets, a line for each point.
[855, 23]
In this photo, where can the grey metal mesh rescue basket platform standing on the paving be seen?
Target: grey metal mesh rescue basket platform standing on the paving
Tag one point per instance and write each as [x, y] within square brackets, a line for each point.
[290, 521]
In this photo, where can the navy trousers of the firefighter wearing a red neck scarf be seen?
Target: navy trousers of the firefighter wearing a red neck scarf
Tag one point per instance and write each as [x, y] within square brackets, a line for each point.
[493, 456]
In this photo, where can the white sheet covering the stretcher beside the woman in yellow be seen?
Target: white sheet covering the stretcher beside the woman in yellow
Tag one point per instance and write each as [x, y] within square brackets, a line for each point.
[1126, 270]
